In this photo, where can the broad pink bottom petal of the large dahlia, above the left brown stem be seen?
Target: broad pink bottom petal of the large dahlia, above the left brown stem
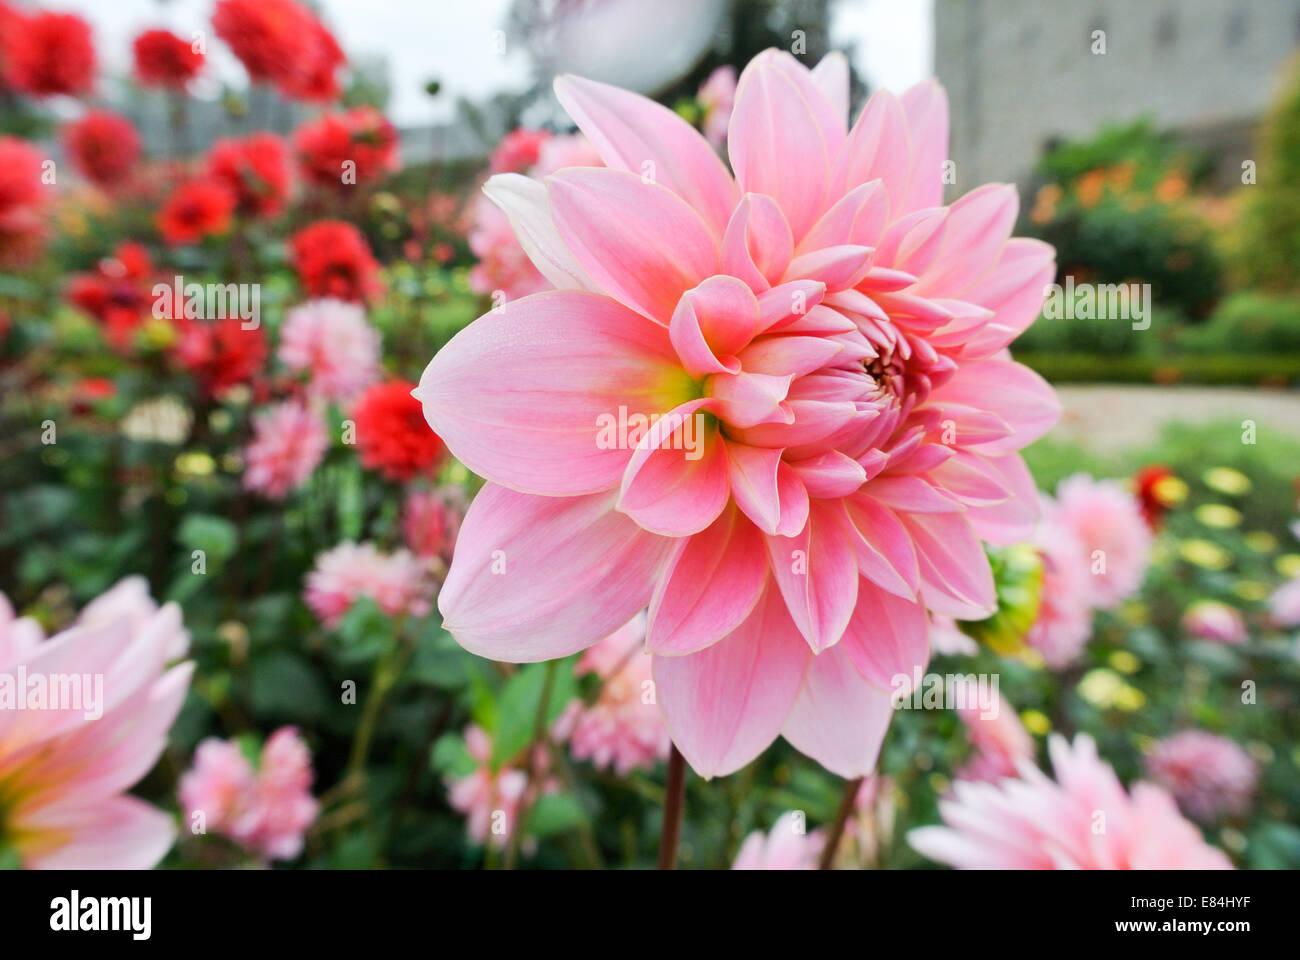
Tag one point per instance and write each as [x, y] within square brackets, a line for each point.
[726, 704]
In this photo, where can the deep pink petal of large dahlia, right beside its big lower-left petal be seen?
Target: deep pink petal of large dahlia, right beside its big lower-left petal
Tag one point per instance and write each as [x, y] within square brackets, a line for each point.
[710, 585]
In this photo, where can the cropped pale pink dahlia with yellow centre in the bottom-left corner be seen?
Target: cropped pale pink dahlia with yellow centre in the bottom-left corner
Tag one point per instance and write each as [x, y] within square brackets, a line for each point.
[98, 702]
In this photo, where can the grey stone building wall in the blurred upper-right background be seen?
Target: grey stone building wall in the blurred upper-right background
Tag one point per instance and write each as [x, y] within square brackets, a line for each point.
[1022, 73]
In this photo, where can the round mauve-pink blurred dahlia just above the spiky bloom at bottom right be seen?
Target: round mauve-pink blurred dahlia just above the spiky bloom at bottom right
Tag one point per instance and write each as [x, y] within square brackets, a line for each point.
[1210, 776]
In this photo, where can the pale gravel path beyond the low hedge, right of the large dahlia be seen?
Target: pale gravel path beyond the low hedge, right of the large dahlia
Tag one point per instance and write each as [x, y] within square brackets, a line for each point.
[1113, 418]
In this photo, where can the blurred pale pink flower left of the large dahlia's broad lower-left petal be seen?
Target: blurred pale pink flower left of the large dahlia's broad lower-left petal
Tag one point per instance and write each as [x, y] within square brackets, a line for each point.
[398, 582]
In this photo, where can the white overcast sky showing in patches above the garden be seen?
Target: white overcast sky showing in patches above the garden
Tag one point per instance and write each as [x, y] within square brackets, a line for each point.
[453, 41]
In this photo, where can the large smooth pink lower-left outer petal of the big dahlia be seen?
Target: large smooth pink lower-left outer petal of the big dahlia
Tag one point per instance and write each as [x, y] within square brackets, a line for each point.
[538, 578]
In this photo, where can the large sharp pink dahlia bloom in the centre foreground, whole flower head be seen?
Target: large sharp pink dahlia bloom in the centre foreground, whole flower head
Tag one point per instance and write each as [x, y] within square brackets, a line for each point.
[773, 408]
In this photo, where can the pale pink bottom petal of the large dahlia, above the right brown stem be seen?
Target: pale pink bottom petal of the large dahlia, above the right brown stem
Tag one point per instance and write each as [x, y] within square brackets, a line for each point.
[839, 719]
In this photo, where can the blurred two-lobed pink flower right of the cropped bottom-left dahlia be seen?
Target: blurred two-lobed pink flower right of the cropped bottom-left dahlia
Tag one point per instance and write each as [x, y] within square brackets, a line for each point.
[266, 811]
